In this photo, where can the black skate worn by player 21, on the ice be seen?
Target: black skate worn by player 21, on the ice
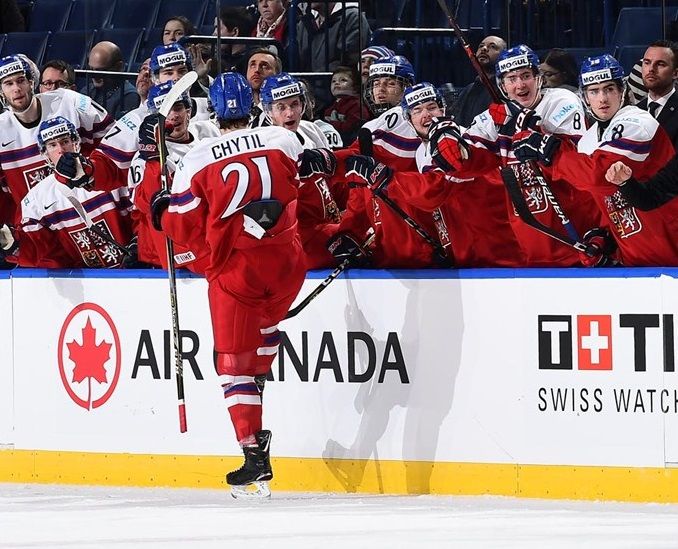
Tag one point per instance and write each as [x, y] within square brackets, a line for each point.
[251, 480]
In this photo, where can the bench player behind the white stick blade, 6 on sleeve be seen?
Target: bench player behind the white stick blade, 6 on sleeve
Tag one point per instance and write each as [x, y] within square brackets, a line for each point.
[183, 134]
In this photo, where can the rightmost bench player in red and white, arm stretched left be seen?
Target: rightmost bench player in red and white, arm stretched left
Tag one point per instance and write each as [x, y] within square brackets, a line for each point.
[620, 132]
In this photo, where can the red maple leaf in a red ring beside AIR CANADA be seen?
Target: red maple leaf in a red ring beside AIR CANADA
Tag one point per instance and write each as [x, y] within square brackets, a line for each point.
[89, 355]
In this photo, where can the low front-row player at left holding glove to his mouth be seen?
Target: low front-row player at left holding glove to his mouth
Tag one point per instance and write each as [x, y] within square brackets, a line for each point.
[53, 232]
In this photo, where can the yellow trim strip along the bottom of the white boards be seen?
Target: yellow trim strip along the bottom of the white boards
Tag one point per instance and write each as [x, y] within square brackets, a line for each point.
[358, 476]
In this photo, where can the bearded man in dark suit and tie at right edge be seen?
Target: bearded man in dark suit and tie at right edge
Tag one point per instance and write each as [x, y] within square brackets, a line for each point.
[660, 70]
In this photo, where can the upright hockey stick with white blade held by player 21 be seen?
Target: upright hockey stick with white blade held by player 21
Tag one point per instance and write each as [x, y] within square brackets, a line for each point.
[179, 87]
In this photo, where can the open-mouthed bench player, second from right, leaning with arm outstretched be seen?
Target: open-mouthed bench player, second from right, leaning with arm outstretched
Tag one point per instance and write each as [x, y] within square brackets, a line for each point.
[487, 144]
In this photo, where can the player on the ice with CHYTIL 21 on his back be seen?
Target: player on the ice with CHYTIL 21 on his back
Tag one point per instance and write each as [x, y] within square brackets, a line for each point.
[238, 193]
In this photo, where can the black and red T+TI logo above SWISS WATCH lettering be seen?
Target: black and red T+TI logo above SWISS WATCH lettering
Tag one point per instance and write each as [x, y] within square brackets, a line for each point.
[595, 337]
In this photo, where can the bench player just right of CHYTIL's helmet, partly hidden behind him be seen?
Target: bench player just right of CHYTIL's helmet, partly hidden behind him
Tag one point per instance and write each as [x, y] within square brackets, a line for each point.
[283, 100]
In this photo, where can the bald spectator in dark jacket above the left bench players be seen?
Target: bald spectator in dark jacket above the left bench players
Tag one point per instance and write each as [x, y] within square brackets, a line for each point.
[117, 96]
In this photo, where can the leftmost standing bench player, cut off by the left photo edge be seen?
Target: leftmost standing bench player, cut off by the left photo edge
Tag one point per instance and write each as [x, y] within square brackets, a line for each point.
[22, 165]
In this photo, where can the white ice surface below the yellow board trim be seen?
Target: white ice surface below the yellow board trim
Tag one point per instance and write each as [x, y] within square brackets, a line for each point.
[51, 516]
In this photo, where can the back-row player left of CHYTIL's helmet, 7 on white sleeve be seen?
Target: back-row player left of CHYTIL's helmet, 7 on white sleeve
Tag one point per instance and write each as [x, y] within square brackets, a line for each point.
[169, 62]
